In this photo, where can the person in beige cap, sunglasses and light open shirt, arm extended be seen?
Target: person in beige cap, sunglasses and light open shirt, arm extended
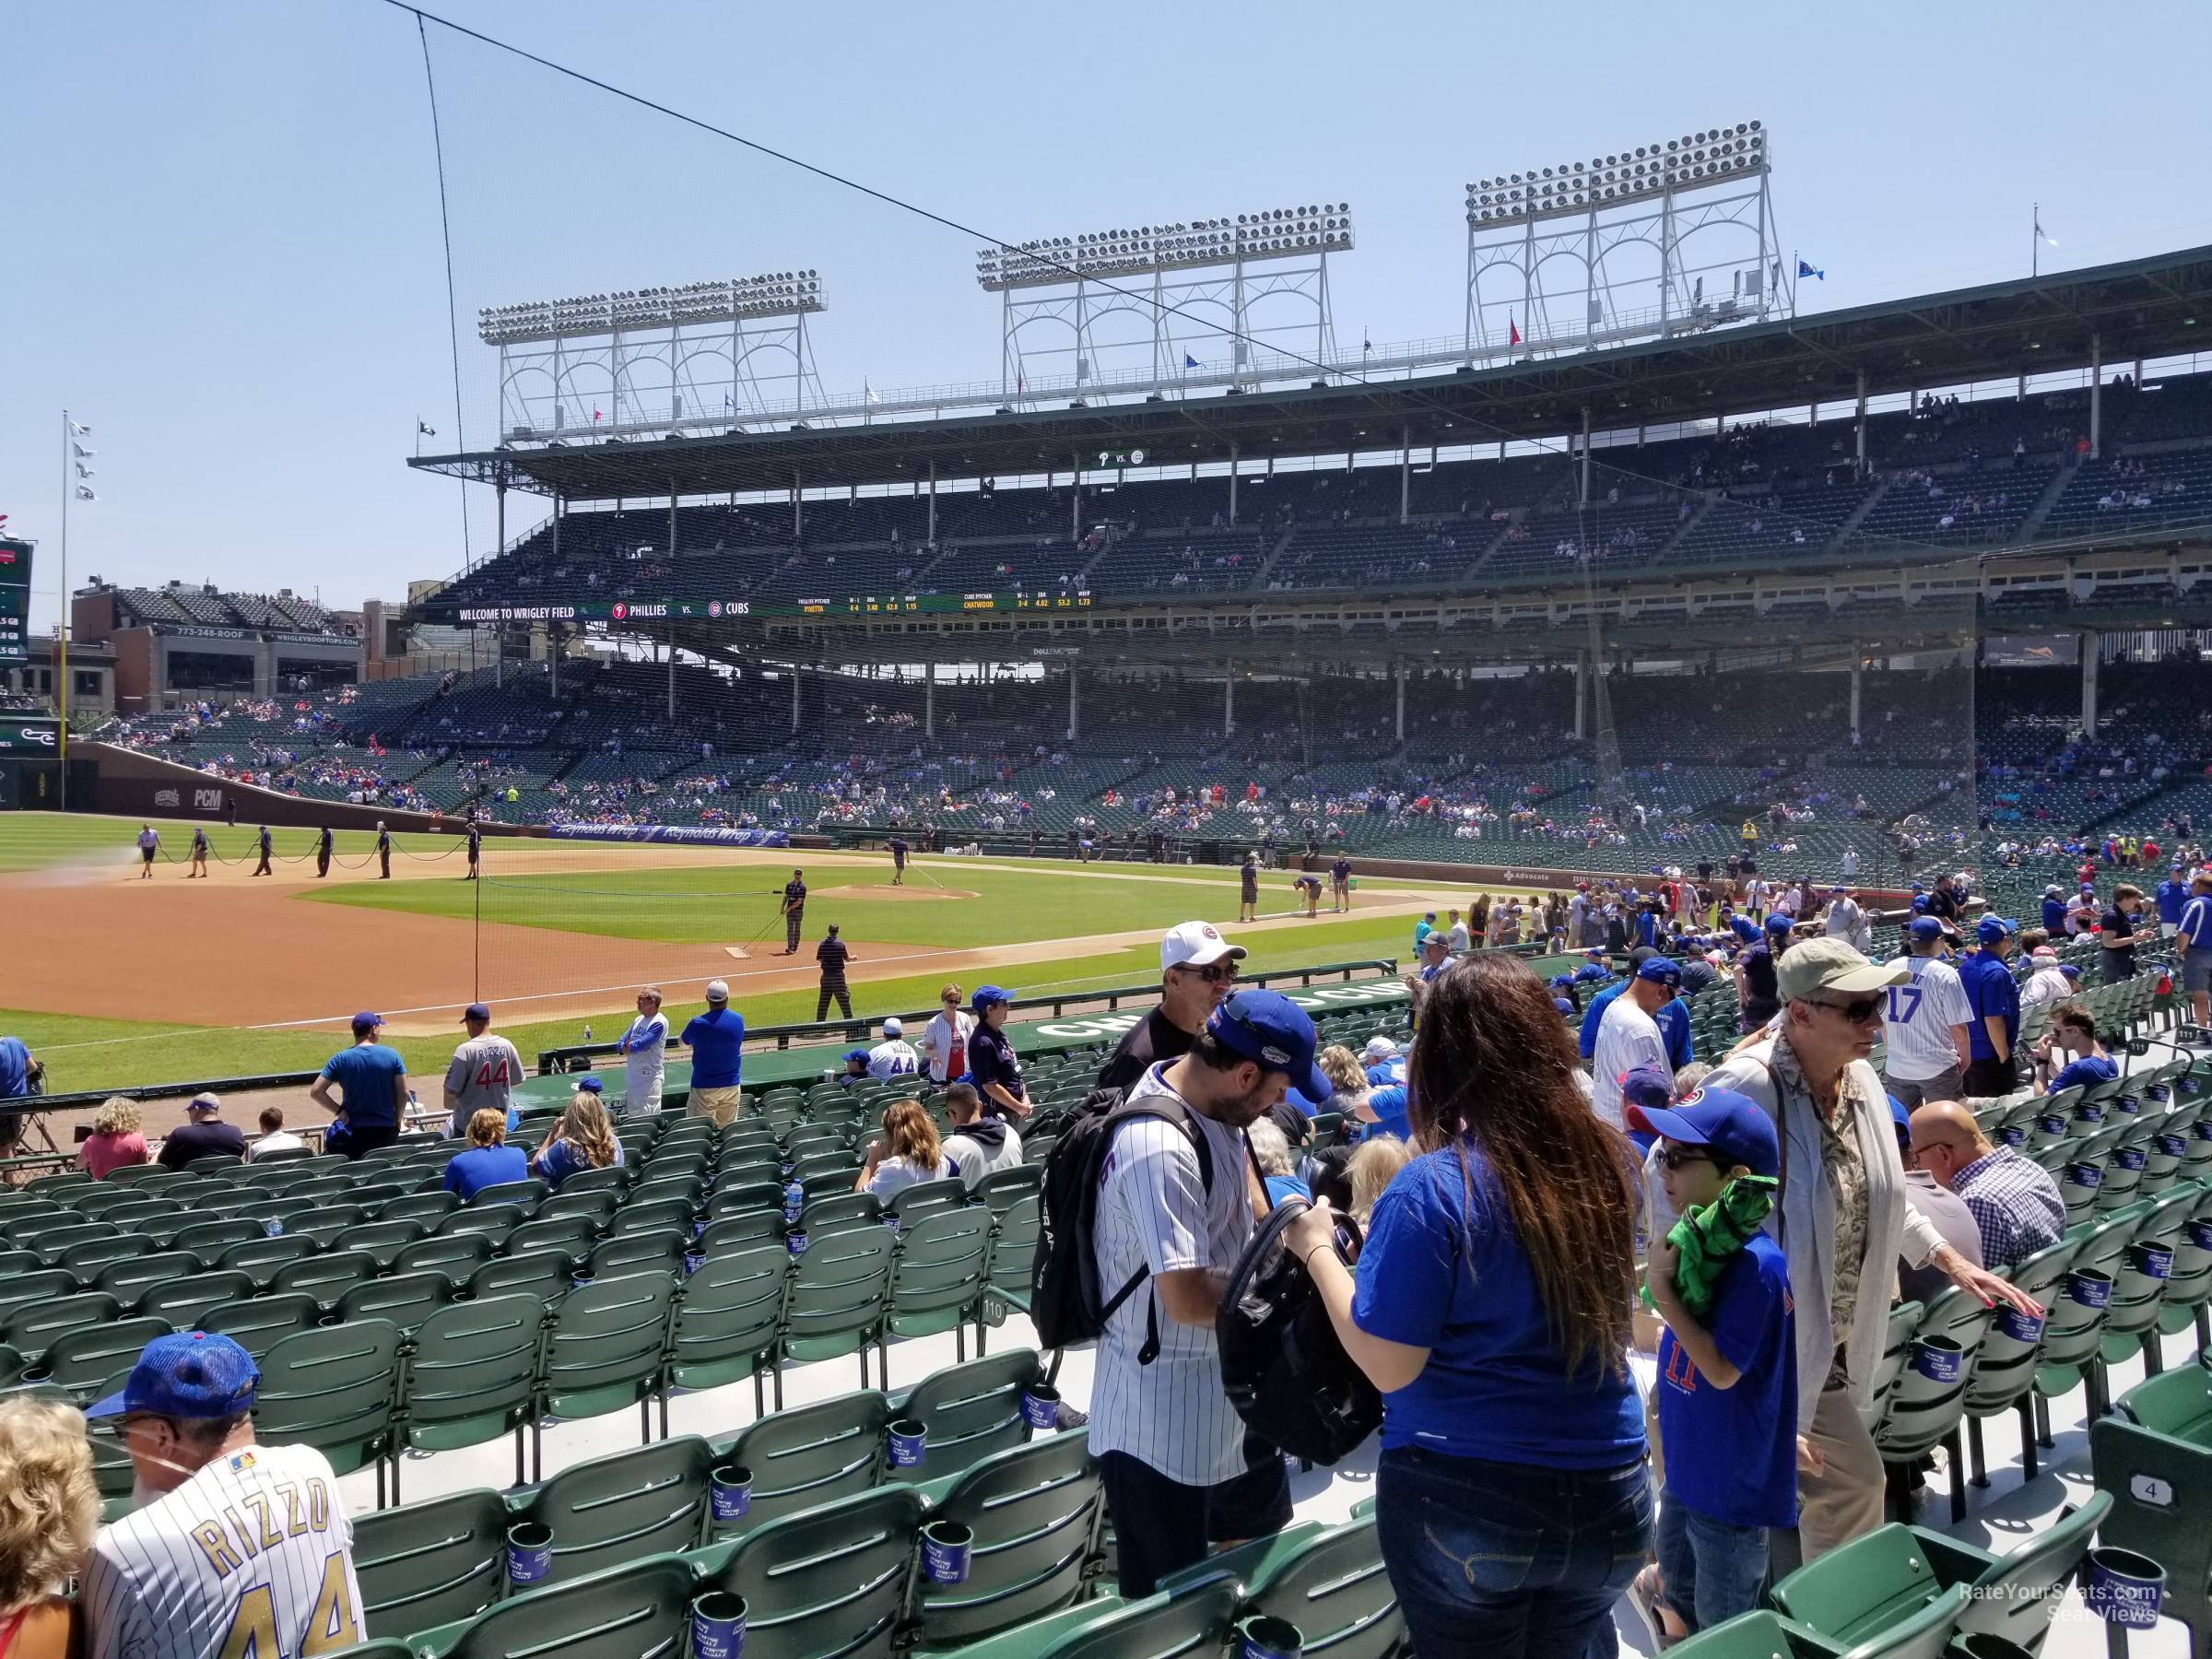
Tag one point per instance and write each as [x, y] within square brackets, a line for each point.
[1841, 1182]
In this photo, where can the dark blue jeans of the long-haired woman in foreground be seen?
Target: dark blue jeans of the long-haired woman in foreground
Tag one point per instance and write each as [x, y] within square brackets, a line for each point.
[1510, 1561]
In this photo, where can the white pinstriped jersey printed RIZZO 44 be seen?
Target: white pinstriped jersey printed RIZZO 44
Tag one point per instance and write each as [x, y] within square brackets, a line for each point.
[253, 1558]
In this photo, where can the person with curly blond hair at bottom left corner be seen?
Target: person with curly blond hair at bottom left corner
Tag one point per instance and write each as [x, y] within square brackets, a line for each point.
[48, 1527]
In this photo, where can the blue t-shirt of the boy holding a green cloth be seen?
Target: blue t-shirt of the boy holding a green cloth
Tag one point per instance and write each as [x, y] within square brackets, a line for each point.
[1742, 1441]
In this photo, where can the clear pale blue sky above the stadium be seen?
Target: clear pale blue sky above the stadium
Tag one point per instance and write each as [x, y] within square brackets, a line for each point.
[225, 242]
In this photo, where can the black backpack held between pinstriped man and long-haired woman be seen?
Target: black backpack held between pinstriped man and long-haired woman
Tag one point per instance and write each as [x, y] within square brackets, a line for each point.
[1282, 1361]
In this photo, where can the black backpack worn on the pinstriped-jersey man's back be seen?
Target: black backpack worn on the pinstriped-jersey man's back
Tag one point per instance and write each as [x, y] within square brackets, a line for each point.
[1065, 1297]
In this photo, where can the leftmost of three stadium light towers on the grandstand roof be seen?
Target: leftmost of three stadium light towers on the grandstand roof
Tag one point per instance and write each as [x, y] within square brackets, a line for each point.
[656, 359]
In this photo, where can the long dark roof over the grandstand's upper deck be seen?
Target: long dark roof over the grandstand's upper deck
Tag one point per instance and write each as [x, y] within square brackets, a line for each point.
[2142, 309]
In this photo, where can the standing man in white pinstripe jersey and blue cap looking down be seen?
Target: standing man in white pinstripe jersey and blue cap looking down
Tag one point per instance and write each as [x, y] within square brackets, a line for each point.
[1180, 1209]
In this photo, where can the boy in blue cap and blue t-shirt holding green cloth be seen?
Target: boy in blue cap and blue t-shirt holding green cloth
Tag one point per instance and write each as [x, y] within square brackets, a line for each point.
[1726, 1379]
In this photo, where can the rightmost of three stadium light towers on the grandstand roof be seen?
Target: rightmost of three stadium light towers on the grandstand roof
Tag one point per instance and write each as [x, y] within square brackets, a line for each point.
[1647, 242]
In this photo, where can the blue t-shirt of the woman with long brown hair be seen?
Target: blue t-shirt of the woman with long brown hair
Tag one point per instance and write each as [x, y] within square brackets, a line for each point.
[1448, 1275]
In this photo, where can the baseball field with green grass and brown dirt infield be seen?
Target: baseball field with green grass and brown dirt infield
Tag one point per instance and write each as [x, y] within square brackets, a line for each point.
[116, 981]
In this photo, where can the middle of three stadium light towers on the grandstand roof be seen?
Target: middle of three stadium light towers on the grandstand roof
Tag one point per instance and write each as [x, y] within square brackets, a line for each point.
[1189, 295]
